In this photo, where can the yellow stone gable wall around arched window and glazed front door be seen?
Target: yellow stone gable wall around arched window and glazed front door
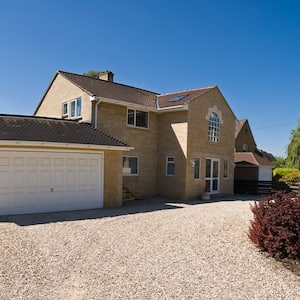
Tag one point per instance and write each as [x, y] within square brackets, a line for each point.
[200, 147]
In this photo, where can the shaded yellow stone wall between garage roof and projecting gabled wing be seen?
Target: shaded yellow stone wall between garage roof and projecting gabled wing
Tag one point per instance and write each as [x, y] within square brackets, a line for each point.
[113, 120]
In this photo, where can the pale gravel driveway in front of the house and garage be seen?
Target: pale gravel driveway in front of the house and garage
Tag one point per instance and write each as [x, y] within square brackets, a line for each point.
[158, 250]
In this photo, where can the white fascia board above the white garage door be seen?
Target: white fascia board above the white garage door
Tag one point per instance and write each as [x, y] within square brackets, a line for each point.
[62, 145]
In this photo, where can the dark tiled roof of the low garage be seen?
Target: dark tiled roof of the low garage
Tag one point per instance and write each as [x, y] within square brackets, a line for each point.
[40, 129]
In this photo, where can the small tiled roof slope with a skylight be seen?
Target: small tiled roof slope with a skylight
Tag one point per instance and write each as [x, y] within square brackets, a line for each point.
[181, 97]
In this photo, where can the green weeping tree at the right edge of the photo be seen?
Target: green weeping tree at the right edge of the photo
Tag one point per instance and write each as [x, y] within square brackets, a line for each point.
[293, 149]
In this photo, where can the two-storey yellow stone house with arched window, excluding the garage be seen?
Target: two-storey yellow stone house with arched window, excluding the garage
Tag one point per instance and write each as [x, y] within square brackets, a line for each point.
[183, 142]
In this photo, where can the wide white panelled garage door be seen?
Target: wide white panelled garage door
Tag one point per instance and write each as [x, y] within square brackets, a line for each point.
[38, 181]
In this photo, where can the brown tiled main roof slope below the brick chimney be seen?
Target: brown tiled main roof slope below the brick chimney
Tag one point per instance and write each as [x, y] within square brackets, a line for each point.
[112, 90]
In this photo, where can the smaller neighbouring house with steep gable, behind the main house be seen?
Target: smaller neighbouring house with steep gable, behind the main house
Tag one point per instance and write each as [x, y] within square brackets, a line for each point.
[253, 167]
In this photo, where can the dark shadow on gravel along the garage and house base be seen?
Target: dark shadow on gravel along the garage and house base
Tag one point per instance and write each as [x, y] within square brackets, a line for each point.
[129, 207]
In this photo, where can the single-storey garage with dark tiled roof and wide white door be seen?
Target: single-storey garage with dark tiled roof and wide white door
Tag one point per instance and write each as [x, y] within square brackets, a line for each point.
[55, 165]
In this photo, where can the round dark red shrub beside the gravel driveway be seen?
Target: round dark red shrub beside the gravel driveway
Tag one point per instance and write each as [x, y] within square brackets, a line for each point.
[276, 225]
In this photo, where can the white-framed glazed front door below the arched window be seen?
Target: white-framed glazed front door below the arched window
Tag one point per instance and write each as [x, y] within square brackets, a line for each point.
[212, 176]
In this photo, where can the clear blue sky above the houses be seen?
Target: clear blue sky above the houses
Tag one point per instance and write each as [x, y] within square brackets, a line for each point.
[249, 48]
